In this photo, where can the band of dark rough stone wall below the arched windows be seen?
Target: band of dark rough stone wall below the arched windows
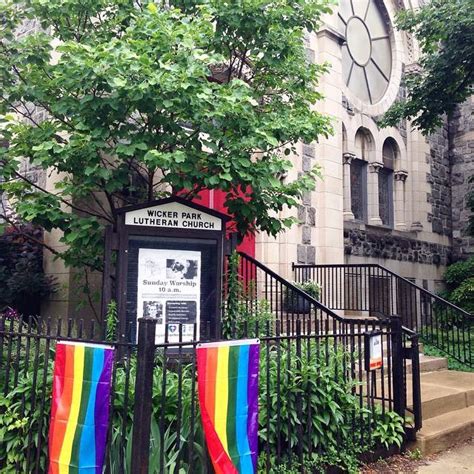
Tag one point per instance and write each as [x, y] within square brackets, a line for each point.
[382, 244]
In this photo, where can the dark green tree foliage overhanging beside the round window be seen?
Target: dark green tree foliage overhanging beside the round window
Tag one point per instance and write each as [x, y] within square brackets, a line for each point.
[444, 30]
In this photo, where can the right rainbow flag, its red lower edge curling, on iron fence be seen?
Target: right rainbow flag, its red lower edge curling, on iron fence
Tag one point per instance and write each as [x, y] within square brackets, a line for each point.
[228, 398]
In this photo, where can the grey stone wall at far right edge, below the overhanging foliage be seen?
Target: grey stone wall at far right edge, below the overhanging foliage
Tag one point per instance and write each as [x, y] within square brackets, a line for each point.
[461, 130]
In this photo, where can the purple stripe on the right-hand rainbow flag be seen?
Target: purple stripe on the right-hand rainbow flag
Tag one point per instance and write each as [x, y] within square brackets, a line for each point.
[252, 397]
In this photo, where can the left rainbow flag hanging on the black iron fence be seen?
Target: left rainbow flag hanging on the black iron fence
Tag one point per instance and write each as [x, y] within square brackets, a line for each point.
[80, 408]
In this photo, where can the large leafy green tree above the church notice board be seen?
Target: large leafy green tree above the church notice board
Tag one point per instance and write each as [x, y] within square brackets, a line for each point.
[144, 101]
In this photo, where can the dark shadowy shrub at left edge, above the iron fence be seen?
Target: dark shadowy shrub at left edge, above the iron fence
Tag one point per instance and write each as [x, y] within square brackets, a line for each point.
[24, 283]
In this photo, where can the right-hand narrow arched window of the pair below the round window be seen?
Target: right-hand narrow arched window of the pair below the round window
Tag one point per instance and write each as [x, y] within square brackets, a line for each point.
[390, 153]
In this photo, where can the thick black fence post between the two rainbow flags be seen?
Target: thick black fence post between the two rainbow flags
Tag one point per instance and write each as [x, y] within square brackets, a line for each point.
[143, 394]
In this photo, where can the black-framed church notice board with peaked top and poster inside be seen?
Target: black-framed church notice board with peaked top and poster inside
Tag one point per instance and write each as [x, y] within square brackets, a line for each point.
[170, 267]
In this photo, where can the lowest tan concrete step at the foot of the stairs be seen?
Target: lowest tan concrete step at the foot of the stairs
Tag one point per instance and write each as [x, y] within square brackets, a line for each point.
[441, 432]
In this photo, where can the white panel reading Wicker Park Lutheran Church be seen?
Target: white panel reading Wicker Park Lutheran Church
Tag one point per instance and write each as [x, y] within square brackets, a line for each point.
[173, 215]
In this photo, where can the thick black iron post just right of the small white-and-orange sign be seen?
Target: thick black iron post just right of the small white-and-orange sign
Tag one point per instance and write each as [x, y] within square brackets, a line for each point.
[397, 366]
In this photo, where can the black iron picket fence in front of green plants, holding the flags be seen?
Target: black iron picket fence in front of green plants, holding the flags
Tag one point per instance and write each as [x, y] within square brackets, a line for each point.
[316, 394]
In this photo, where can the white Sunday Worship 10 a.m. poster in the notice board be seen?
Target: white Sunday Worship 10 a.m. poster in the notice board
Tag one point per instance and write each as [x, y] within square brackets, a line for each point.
[169, 289]
